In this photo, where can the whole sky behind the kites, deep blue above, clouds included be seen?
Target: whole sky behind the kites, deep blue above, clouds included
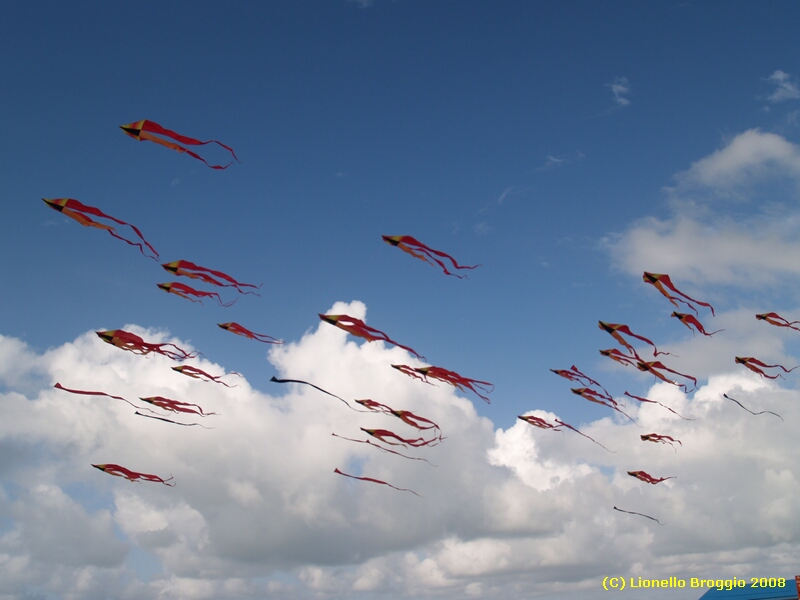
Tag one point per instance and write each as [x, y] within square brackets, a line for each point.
[565, 146]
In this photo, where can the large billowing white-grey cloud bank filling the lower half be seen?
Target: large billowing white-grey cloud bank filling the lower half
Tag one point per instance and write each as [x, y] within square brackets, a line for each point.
[257, 508]
